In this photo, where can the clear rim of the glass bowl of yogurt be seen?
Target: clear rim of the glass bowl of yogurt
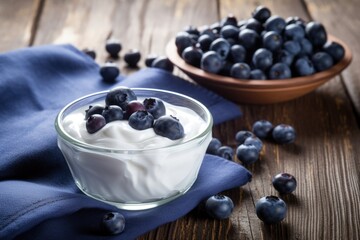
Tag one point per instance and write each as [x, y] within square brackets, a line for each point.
[62, 133]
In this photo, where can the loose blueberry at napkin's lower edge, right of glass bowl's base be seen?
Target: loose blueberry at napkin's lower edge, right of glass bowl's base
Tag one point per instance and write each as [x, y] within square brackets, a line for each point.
[219, 206]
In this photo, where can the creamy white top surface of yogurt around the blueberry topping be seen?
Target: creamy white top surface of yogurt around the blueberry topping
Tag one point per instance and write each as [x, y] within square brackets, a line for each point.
[120, 135]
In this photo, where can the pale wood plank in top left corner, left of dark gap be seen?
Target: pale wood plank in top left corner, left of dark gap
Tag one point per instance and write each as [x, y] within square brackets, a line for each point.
[17, 22]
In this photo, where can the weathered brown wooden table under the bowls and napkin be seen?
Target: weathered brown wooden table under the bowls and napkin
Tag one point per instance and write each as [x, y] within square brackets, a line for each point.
[324, 159]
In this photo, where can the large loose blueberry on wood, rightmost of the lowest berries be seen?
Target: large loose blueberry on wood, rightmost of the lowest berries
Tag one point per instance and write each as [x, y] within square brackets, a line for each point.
[271, 209]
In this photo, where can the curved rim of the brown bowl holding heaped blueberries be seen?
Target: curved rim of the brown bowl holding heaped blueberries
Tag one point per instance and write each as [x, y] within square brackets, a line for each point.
[176, 59]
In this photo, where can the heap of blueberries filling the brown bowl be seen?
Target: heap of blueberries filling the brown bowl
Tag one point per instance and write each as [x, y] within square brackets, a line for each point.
[264, 46]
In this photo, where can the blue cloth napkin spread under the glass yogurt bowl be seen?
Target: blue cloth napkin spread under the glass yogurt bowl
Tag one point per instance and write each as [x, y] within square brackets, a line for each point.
[38, 198]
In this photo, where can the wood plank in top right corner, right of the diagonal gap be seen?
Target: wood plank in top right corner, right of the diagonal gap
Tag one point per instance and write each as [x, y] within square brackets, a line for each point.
[342, 20]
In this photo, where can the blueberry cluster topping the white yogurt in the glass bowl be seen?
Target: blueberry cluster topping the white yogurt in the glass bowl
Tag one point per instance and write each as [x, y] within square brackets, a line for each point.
[121, 103]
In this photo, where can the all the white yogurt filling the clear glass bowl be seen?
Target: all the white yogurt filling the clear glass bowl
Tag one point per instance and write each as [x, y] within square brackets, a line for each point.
[135, 176]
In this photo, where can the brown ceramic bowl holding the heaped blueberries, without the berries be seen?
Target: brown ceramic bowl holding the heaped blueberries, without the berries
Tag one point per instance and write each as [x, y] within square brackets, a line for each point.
[259, 91]
